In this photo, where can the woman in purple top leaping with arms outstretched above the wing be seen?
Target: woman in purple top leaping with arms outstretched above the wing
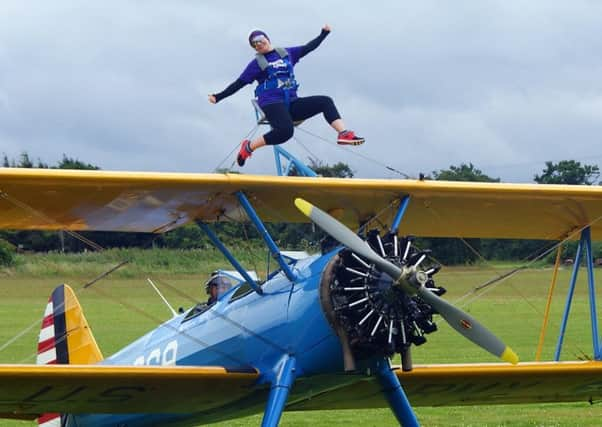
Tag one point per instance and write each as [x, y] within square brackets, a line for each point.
[276, 94]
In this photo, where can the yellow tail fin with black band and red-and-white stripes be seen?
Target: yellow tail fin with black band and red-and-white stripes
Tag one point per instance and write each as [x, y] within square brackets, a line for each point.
[65, 338]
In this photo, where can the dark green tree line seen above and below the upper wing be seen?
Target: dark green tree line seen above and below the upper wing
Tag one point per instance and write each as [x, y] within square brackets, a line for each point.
[302, 236]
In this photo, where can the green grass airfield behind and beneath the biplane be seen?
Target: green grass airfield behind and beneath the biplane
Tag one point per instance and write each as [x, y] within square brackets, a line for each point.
[513, 309]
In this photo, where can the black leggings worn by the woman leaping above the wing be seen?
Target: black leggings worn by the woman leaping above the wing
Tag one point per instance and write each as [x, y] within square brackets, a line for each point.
[281, 119]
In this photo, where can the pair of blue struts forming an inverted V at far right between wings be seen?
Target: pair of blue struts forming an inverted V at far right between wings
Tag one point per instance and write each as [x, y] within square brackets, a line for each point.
[585, 244]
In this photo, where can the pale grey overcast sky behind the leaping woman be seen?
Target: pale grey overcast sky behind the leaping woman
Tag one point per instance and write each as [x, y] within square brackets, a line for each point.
[505, 85]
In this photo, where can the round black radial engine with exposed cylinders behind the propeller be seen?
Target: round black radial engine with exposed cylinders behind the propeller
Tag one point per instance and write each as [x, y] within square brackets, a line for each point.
[372, 314]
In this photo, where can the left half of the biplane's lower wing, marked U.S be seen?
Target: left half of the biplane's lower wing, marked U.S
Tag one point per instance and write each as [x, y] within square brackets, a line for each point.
[30, 390]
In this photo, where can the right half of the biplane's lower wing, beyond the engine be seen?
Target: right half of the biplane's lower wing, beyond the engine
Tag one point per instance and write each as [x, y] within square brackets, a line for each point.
[474, 384]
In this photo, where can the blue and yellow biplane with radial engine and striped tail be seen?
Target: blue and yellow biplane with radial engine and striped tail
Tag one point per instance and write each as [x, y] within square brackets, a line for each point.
[317, 333]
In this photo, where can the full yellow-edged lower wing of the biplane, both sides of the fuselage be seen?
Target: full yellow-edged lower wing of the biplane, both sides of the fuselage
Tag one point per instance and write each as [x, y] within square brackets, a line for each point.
[28, 390]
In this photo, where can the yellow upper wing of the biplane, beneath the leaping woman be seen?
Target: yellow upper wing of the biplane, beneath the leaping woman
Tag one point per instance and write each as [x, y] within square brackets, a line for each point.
[156, 202]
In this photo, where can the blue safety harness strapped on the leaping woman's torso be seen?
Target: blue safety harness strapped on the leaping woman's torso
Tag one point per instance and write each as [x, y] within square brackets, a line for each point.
[280, 74]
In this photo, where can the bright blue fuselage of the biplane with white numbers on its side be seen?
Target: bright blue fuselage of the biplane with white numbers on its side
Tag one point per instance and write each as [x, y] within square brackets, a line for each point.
[242, 330]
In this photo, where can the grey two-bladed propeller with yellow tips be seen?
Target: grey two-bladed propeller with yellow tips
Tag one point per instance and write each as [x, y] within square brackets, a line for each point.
[412, 282]
